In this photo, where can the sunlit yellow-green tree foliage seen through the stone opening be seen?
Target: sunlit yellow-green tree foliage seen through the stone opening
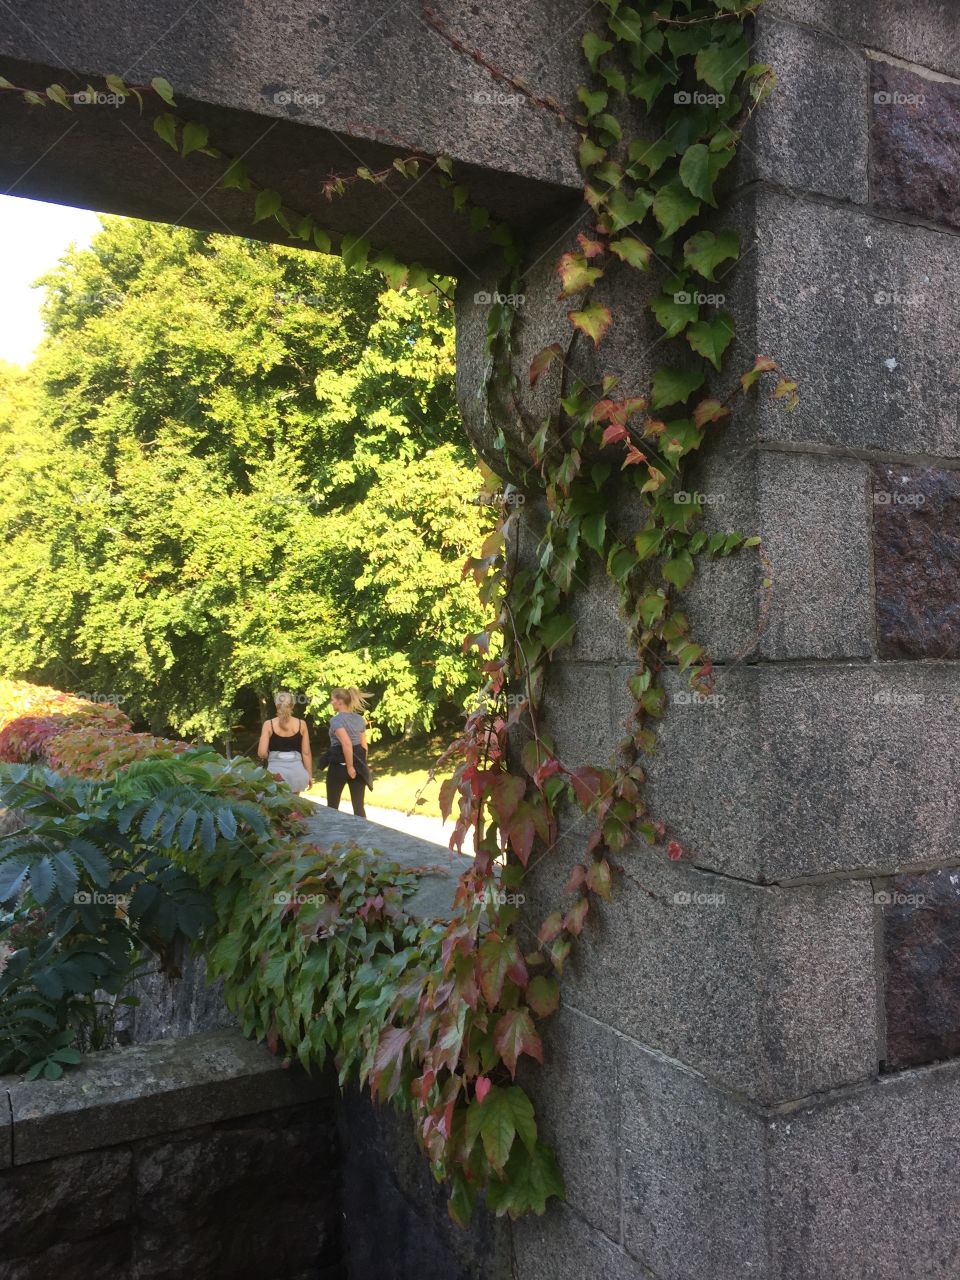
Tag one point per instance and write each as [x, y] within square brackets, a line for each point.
[235, 468]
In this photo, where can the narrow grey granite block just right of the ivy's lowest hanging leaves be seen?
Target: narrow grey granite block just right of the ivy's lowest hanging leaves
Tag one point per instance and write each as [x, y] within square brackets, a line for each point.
[578, 1094]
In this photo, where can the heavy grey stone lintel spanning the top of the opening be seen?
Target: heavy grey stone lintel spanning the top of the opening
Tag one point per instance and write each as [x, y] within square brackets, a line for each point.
[301, 95]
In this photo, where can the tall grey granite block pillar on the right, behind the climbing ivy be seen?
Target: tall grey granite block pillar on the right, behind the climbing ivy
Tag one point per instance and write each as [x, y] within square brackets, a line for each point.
[752, 1073]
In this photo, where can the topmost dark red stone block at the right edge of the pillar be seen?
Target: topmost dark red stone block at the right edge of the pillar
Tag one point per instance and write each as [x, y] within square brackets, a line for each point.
[916, 144]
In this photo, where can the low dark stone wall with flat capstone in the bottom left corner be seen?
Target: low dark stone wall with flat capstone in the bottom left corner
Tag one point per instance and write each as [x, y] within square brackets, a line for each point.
[196, 1158]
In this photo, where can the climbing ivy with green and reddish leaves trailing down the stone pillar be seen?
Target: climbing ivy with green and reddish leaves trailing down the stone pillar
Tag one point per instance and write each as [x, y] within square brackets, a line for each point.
[670, 88]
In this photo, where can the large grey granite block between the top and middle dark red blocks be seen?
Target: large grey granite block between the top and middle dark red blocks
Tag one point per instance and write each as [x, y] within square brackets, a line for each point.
[863, 335]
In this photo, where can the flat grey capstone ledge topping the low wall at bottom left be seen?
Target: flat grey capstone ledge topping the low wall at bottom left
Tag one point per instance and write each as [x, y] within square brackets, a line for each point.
[139, 1092]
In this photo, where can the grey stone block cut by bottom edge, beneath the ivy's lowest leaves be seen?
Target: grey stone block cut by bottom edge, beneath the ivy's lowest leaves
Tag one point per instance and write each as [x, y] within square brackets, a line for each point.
[560, 1246]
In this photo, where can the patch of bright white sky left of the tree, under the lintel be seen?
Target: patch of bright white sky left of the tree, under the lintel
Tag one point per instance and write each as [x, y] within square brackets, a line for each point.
[33, 239]
